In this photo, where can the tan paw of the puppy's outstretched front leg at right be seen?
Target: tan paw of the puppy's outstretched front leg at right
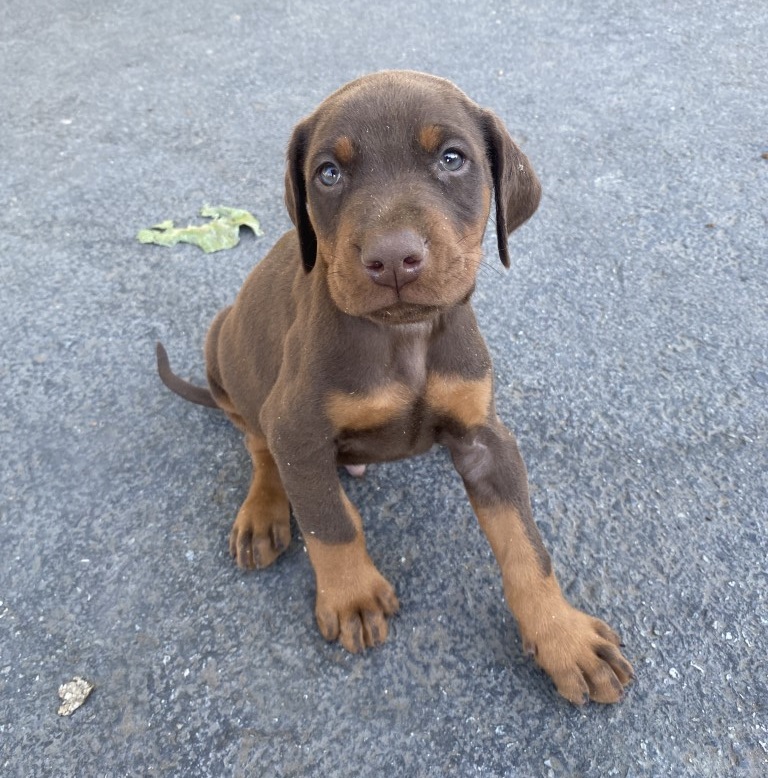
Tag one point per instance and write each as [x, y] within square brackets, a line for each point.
[581, 654]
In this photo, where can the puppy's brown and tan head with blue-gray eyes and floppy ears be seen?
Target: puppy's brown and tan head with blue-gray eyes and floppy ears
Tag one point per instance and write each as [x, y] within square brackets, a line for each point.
[389, 185]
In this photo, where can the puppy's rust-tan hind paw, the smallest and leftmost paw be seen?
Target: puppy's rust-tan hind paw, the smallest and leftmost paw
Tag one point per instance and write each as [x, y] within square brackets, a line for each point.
[259, 535]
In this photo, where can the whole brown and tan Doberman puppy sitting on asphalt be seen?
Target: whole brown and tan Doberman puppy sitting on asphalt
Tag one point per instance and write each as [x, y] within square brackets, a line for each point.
[354, 341]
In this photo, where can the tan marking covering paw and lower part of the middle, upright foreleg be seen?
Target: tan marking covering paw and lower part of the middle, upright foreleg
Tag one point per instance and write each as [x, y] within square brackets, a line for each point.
[354, 601]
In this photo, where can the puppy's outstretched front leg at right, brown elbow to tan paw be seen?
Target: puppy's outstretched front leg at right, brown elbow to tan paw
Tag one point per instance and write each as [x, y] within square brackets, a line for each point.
[580, 653]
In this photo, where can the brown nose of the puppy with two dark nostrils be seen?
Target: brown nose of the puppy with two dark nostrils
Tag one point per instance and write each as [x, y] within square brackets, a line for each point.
[394, 259]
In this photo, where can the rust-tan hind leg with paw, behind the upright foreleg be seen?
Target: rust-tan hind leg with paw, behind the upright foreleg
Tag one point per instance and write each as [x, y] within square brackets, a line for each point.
[262, 529]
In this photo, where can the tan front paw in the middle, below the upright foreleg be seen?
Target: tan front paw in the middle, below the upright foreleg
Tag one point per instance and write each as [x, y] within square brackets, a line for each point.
[356, 609]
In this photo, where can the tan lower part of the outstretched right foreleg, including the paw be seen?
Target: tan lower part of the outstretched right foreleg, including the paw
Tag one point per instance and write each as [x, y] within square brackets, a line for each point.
[579, 652]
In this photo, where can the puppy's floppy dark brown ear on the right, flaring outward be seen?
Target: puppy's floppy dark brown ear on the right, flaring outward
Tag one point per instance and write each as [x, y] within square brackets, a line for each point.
[516, 188]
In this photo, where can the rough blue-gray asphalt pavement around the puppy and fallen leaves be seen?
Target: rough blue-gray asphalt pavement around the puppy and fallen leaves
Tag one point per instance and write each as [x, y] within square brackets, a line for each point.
[630, 344]
